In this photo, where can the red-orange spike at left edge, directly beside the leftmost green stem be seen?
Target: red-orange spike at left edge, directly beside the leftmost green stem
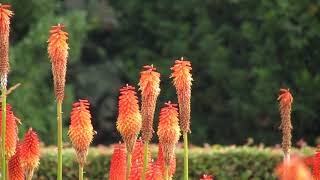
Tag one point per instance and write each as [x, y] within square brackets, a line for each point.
[11, 132]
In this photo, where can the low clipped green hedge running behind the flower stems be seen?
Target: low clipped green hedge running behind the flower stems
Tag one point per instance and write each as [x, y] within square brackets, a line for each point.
[224, 162]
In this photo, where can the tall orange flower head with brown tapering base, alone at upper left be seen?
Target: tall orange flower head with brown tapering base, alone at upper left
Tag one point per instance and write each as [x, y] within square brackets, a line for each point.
[58, 53]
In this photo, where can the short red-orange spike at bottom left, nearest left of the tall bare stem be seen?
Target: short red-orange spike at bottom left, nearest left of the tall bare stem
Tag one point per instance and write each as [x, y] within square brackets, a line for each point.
[30, 152]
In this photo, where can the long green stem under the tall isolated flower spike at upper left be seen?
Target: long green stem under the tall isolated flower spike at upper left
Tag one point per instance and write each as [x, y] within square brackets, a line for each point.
[59, 143]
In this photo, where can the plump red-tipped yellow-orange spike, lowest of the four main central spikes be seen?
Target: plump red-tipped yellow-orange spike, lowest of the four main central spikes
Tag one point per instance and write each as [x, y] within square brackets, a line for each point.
[168, 130]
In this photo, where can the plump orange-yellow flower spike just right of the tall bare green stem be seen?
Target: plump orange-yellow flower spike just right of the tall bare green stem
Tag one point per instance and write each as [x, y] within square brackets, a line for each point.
[81, 131]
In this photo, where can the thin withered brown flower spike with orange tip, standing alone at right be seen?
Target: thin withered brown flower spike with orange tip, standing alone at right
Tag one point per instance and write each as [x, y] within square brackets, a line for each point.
[285, 101]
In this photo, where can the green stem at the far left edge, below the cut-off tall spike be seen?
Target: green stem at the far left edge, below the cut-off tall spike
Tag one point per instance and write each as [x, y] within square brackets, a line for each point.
[3, 133]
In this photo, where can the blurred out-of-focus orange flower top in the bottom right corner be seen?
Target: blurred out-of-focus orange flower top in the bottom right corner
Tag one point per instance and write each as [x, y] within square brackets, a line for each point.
[293, 170]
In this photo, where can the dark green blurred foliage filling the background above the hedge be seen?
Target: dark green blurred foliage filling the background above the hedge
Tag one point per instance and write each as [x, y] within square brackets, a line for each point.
[242, 52]
